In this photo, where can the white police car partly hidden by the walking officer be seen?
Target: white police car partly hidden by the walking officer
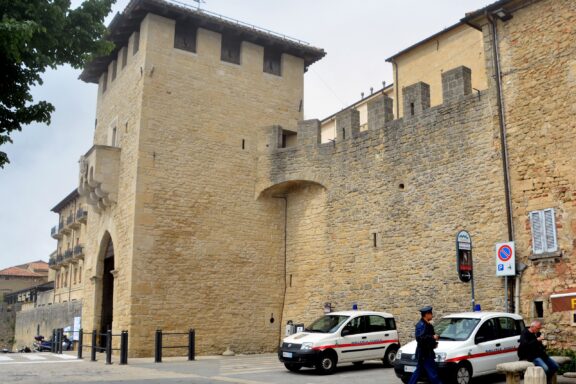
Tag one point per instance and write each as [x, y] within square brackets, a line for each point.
[471, 344]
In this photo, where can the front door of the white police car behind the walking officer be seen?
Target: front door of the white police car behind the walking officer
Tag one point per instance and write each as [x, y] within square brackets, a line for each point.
[484, 357]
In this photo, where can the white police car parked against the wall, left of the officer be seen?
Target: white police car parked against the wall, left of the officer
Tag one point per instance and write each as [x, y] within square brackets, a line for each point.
[338, 337]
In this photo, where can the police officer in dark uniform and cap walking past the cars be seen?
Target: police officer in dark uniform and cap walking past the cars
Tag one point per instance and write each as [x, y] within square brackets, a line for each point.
[427, 340]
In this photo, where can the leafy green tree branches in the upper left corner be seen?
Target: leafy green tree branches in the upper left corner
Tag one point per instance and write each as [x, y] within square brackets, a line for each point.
[36, 35]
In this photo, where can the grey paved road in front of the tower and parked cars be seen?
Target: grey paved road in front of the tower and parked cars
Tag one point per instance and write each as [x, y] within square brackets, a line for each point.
[28, 368]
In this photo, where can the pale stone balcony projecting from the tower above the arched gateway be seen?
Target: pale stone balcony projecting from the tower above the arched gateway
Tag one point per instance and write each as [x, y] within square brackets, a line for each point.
[99, 170]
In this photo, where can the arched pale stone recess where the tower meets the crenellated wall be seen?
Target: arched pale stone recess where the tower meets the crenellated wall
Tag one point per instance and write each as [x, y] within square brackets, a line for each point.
[302, 217]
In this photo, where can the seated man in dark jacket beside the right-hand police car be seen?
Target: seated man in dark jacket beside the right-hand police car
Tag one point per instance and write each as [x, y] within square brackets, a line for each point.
[532, 349]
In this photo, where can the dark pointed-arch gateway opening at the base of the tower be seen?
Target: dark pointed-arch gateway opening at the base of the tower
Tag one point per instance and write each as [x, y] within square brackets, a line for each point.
[105, 290]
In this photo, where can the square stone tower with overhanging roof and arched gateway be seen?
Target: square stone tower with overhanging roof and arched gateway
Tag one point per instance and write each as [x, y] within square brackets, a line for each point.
[178, 239]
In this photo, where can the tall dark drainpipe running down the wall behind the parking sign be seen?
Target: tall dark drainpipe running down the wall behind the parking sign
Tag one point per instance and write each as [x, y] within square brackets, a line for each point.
[503, 144]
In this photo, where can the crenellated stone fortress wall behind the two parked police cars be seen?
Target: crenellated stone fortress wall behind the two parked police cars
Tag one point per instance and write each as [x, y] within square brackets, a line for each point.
[372, 217]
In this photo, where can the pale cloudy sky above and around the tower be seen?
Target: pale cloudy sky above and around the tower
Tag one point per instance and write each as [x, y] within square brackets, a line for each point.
[357, 35]
